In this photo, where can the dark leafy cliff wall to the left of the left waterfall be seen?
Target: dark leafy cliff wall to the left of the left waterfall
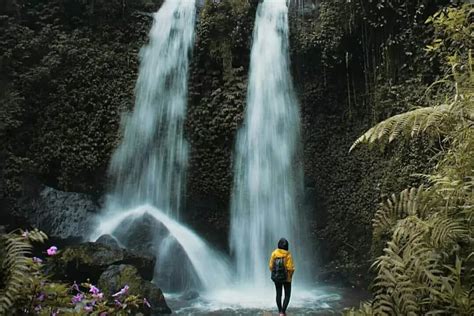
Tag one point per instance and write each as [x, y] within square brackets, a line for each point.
[69, 68]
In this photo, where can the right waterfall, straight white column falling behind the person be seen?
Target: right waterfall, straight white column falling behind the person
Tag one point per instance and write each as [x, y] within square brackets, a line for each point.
[267, 174]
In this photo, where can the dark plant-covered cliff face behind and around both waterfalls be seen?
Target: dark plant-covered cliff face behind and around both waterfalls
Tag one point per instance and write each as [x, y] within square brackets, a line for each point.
[68, 70]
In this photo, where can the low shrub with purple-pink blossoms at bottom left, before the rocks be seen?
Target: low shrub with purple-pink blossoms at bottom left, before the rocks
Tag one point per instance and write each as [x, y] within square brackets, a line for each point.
[41, 296]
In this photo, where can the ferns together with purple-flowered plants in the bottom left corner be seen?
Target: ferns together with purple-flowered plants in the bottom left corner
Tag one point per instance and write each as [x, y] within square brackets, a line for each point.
[27, 289]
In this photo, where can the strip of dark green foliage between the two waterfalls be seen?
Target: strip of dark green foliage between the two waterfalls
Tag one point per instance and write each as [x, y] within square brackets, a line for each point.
[217, 91]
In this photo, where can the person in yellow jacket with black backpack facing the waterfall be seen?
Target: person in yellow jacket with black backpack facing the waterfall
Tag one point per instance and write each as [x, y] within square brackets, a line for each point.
[282, 268]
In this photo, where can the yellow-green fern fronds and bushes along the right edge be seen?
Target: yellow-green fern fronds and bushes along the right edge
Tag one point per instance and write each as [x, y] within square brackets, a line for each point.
[426, 266]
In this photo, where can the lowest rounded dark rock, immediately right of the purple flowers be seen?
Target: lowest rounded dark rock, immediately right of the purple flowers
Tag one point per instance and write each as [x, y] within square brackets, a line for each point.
[117, 276]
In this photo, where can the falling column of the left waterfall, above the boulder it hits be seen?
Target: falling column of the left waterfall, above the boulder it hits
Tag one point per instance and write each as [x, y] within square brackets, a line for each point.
[149, 164]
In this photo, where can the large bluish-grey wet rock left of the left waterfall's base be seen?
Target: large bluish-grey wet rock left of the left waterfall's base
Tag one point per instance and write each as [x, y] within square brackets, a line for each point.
[64, 215]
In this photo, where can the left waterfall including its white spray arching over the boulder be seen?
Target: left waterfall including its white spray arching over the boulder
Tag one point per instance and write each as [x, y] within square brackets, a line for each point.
[148, 167]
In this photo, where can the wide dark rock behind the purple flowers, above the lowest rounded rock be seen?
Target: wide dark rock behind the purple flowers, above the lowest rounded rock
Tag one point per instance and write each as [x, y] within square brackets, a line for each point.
[90, 260]
